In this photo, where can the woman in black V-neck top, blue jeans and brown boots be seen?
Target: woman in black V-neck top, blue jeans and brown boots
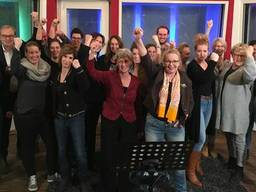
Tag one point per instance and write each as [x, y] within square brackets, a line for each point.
[201, 73]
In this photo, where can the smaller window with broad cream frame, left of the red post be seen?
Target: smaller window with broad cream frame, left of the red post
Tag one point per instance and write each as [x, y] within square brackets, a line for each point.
[89, 17]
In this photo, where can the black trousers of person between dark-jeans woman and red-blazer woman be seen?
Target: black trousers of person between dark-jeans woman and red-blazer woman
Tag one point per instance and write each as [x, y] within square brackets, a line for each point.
[91, 120]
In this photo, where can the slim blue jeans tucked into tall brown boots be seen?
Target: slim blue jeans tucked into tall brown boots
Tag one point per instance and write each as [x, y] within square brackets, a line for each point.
[205, 115]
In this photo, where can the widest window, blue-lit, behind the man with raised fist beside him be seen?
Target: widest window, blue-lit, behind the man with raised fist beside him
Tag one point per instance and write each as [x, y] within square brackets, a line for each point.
[183, 20]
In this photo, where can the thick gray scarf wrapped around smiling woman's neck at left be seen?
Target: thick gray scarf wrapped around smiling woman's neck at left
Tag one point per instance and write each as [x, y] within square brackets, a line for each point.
[39, 72]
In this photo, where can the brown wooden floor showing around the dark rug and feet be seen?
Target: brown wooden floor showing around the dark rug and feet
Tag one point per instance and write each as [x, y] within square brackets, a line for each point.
[15, 180]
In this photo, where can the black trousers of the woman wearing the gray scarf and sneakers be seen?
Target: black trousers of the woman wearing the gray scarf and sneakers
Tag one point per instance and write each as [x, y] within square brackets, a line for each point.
[29, 126]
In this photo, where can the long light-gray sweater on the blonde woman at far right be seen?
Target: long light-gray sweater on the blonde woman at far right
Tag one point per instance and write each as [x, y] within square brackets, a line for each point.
[233, 103]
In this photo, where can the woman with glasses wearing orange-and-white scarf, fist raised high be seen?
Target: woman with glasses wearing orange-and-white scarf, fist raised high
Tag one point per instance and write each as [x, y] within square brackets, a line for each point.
[169, 100]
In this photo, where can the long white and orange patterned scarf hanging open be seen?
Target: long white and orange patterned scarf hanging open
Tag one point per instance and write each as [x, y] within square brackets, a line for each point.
[172, 111]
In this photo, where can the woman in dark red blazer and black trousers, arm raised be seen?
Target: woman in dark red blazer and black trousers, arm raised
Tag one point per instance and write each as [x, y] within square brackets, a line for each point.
[118, 114]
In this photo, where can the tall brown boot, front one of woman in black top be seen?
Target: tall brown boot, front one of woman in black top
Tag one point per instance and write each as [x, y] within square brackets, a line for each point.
[191, 168]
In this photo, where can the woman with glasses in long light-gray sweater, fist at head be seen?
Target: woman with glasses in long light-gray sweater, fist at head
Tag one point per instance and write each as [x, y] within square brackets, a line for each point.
[233, 105]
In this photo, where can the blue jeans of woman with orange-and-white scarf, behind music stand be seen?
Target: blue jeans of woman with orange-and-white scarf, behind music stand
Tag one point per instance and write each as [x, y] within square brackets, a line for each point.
[160, 131]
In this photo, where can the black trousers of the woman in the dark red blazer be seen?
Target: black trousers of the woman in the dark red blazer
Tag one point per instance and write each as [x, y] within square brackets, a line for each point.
[115, 134]
